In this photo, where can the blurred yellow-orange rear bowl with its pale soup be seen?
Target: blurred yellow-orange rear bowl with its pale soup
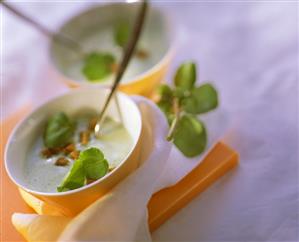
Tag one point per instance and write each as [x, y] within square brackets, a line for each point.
[93, 29]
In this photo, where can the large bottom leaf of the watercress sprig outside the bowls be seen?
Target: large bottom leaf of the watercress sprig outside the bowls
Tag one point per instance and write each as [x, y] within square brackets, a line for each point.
[190, 136]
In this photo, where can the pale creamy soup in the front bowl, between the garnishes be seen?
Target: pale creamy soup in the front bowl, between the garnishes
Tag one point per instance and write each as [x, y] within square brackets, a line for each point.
[43, 175]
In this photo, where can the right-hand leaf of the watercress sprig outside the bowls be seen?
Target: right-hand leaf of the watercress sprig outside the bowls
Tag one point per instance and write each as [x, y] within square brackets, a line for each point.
[202, 99]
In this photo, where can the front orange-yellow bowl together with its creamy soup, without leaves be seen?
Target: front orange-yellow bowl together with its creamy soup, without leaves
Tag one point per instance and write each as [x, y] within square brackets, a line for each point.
[39, 175]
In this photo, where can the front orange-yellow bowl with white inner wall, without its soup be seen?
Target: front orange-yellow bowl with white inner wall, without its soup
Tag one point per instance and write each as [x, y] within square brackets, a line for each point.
[21, 140]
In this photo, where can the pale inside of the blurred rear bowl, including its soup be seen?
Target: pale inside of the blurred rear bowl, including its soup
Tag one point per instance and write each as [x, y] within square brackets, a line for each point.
[93, 29]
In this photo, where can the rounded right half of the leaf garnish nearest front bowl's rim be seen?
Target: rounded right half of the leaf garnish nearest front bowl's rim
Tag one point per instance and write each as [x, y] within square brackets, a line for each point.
[95, 165]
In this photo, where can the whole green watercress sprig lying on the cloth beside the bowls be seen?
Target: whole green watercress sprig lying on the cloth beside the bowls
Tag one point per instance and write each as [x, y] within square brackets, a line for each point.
[179, 105]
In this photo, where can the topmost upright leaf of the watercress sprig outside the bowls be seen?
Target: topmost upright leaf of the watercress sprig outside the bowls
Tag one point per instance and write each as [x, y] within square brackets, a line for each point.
[185, 76]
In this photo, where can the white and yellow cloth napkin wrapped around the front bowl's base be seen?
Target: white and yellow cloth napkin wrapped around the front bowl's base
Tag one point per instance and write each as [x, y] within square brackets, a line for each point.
[107, 218]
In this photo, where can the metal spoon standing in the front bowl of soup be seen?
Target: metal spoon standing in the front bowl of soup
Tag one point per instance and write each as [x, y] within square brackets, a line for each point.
[128, 52]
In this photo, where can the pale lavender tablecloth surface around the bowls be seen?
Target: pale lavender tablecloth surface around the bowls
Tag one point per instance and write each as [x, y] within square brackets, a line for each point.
[249, 50]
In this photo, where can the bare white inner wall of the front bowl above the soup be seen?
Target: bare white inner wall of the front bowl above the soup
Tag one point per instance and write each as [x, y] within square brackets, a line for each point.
[72, 103]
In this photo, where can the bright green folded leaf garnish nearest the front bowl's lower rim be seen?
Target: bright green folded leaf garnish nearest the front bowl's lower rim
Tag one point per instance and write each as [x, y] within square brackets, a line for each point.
[91, 164]
